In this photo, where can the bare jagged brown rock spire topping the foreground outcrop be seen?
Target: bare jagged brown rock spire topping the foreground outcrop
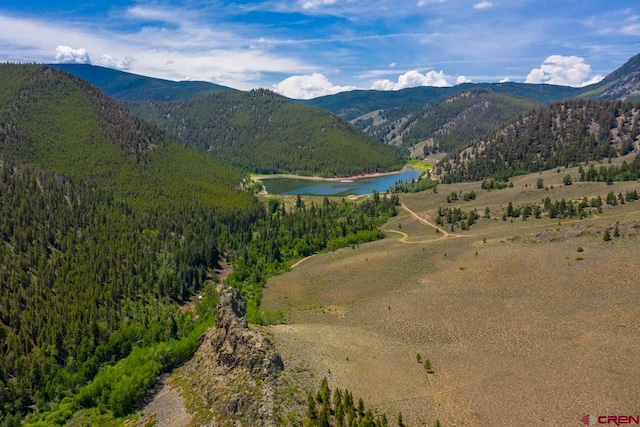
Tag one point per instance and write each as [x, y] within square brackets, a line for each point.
[237, 346]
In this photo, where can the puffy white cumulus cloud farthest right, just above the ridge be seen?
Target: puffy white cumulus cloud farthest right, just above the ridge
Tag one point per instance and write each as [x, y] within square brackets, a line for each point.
[564, 71]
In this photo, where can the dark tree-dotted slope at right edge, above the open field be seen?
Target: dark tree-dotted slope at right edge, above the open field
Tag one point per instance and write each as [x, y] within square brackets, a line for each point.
[563, 134]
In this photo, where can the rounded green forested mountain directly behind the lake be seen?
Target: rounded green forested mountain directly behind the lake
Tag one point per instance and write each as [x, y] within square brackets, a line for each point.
[268, 133]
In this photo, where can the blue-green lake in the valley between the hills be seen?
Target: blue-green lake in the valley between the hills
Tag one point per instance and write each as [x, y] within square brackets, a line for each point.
[357, 186]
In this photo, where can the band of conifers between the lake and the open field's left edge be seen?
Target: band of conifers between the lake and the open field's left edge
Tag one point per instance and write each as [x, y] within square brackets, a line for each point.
[283, 235]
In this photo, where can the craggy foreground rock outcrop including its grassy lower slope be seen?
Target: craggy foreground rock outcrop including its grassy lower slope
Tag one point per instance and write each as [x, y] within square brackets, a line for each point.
[233, 374]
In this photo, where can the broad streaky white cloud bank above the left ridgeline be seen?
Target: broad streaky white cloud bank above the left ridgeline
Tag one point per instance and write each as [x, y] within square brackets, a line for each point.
[192, 49]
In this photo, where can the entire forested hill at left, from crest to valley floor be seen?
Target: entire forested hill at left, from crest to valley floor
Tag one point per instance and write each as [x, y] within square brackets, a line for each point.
[106, 224]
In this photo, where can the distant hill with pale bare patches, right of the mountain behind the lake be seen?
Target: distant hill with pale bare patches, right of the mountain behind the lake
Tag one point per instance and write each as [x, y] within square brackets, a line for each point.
[447, 124]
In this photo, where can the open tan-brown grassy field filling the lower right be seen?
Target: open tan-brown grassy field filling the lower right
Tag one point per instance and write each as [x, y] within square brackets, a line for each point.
[520, 326]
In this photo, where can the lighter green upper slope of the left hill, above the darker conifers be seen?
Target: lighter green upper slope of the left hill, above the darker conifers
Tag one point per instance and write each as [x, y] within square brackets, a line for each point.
[55, 121]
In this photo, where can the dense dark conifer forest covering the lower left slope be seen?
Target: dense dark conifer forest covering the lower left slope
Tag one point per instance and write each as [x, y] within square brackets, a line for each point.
[85, 279]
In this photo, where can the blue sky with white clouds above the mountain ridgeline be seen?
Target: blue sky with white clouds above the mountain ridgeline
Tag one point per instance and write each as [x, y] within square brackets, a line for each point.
[308, 48]
